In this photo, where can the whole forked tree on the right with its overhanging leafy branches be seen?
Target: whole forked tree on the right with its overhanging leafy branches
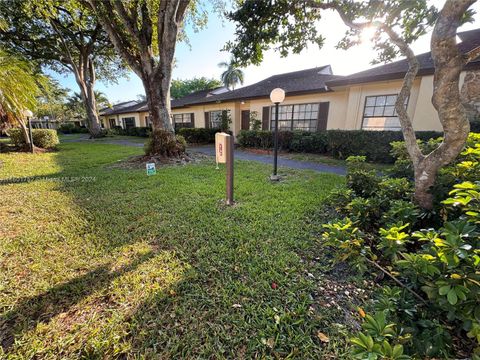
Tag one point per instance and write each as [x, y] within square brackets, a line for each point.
[397, 24]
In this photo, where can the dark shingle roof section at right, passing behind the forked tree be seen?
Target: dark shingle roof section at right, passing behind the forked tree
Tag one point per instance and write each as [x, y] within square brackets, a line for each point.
[397, 69]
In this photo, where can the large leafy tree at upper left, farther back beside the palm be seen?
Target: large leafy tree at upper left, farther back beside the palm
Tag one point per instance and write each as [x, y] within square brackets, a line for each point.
[66, 37]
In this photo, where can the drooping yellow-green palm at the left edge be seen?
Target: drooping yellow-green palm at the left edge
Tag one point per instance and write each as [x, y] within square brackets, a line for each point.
[19, 88]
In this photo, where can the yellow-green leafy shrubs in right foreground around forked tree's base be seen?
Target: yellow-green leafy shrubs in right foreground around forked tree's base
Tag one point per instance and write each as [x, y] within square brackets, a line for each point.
[435, 259]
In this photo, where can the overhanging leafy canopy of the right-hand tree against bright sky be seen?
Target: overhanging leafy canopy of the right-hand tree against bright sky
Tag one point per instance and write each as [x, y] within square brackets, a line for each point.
[290, 26]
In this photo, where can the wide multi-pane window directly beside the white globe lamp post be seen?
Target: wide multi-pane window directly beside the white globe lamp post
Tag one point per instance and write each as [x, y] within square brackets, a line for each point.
[295, 117]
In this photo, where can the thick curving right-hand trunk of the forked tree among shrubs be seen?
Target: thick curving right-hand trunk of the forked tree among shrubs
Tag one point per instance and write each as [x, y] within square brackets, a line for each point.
[449, 63]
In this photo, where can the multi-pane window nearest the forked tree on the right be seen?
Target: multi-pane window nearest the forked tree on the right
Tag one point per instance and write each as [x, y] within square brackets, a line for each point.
[380, 114]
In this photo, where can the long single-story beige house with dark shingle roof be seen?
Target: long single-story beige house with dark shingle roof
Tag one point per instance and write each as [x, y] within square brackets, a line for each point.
[315, 99]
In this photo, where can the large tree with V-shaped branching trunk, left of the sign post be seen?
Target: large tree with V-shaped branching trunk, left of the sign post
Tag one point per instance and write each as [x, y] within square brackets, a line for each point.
[145, 33]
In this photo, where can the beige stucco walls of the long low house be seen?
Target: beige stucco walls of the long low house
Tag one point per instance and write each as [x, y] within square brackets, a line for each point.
[345, 111]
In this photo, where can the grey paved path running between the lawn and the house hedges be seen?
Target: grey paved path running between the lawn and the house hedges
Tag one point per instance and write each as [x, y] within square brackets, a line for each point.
[239, 154]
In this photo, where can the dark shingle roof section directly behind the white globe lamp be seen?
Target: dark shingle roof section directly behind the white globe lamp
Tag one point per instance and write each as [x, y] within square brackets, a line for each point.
[294, 83]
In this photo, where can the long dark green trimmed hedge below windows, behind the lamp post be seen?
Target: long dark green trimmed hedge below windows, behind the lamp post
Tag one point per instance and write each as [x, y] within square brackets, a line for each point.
[375, 145]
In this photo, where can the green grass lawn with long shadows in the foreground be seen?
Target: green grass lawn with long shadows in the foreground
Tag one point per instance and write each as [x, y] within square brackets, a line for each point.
[97, 262]
